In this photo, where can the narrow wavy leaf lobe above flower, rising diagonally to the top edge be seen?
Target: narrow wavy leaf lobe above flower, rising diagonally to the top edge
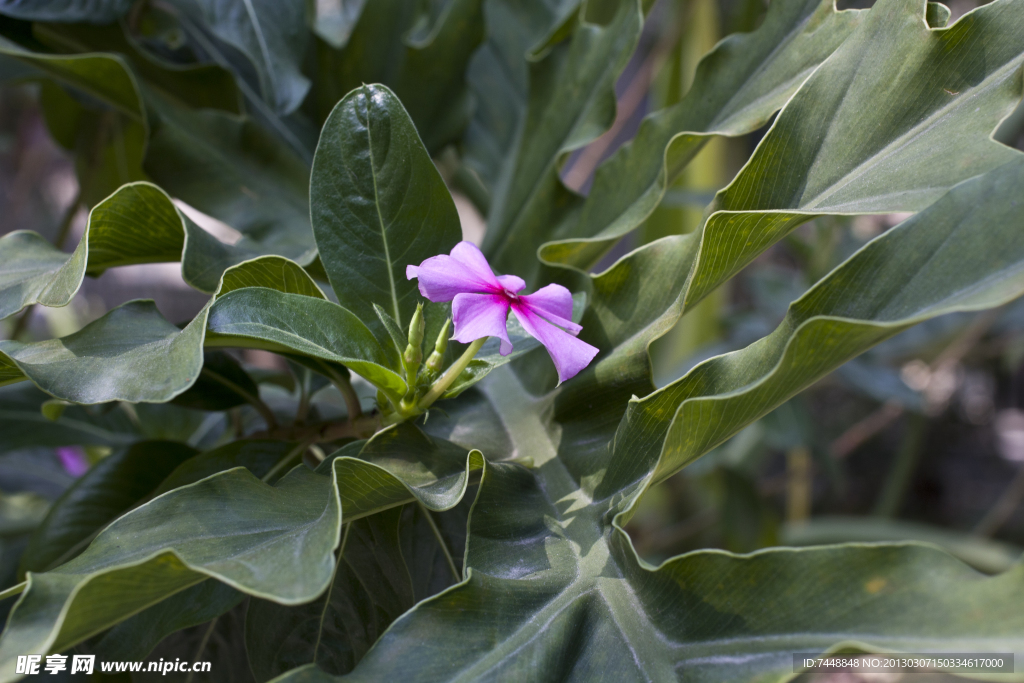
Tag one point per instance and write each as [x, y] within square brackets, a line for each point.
[738, 88]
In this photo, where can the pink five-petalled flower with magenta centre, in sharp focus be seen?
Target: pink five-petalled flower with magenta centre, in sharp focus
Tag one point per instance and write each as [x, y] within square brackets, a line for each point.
[481, 304]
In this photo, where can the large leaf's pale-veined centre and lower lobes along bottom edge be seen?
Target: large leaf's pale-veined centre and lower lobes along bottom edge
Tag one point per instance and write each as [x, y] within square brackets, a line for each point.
[553, 586]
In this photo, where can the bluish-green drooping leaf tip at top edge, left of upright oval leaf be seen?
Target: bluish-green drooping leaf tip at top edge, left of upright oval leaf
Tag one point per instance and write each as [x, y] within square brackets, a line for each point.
[272, 34]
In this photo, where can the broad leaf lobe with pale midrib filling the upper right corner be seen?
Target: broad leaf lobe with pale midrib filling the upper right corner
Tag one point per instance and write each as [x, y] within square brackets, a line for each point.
[899, 115]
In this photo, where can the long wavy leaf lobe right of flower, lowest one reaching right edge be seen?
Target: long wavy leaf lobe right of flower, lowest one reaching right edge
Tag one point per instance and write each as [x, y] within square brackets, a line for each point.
[960, 254]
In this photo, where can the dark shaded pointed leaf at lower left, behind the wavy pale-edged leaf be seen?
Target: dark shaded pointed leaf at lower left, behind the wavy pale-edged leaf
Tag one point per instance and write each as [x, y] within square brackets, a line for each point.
[108, 490]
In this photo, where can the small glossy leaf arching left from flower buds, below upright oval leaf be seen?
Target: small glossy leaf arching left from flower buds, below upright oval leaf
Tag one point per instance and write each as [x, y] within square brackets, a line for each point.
[261, 318]
